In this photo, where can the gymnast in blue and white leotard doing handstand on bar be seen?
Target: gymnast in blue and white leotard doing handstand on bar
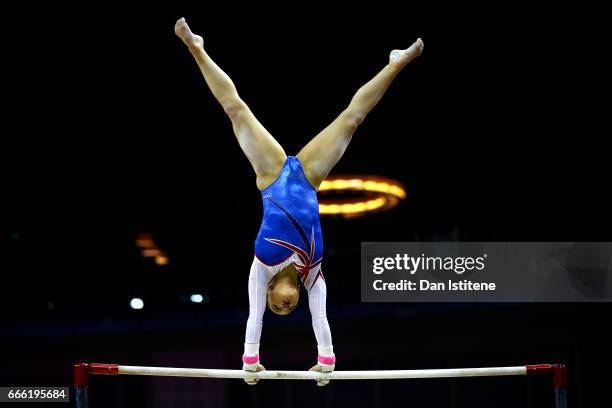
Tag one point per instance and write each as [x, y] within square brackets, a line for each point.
[289, 245]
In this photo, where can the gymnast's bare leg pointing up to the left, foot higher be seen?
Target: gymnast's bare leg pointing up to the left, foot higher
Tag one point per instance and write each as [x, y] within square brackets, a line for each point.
[263, 151]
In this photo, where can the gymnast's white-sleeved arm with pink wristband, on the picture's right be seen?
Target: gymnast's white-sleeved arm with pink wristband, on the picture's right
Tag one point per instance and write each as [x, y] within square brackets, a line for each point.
[317, 296]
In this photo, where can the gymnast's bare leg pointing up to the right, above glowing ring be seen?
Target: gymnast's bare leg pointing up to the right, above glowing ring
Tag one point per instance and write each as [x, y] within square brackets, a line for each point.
[322, 153]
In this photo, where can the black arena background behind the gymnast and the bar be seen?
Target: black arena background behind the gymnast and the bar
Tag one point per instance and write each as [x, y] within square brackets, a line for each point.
[110, 131]
